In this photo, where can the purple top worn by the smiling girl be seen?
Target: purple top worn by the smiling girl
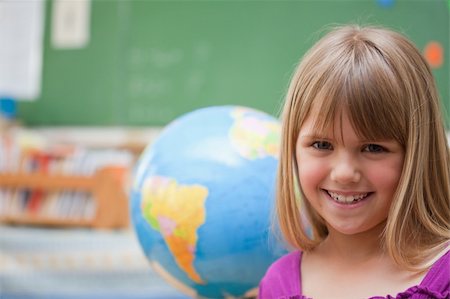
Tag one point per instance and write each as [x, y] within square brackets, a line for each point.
[283, 281]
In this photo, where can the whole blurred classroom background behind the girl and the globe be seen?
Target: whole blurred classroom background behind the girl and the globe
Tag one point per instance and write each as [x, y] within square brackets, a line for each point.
[86, 85]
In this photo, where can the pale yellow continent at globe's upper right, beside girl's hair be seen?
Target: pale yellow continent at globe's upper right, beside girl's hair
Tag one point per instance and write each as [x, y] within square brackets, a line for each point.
[253, 135]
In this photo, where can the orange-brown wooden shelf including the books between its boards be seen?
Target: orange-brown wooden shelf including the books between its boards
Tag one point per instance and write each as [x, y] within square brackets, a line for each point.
[104, 199]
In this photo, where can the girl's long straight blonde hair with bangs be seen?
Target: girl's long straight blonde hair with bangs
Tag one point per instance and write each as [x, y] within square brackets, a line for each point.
[381, 80]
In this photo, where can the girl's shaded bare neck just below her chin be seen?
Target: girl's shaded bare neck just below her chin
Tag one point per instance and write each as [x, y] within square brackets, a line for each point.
[362, 247]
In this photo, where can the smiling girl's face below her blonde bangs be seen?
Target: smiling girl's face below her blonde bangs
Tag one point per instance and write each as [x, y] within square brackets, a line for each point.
[349, 182]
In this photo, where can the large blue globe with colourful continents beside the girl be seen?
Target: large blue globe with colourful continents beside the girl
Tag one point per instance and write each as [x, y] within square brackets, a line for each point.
[202, 199]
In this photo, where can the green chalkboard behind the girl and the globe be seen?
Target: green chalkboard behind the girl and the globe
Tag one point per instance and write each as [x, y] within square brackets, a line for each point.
[148, 62]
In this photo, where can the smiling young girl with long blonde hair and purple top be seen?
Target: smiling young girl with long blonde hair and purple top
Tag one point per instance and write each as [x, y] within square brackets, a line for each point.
[365, 166]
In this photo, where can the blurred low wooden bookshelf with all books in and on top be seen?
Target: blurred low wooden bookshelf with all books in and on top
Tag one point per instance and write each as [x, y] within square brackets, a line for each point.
[46, 181]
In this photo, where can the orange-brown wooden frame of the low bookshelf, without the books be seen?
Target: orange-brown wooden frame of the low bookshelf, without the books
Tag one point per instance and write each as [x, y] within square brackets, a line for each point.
[106, 188]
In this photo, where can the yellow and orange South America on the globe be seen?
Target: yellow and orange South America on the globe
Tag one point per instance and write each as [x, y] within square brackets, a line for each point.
[165, 208]
